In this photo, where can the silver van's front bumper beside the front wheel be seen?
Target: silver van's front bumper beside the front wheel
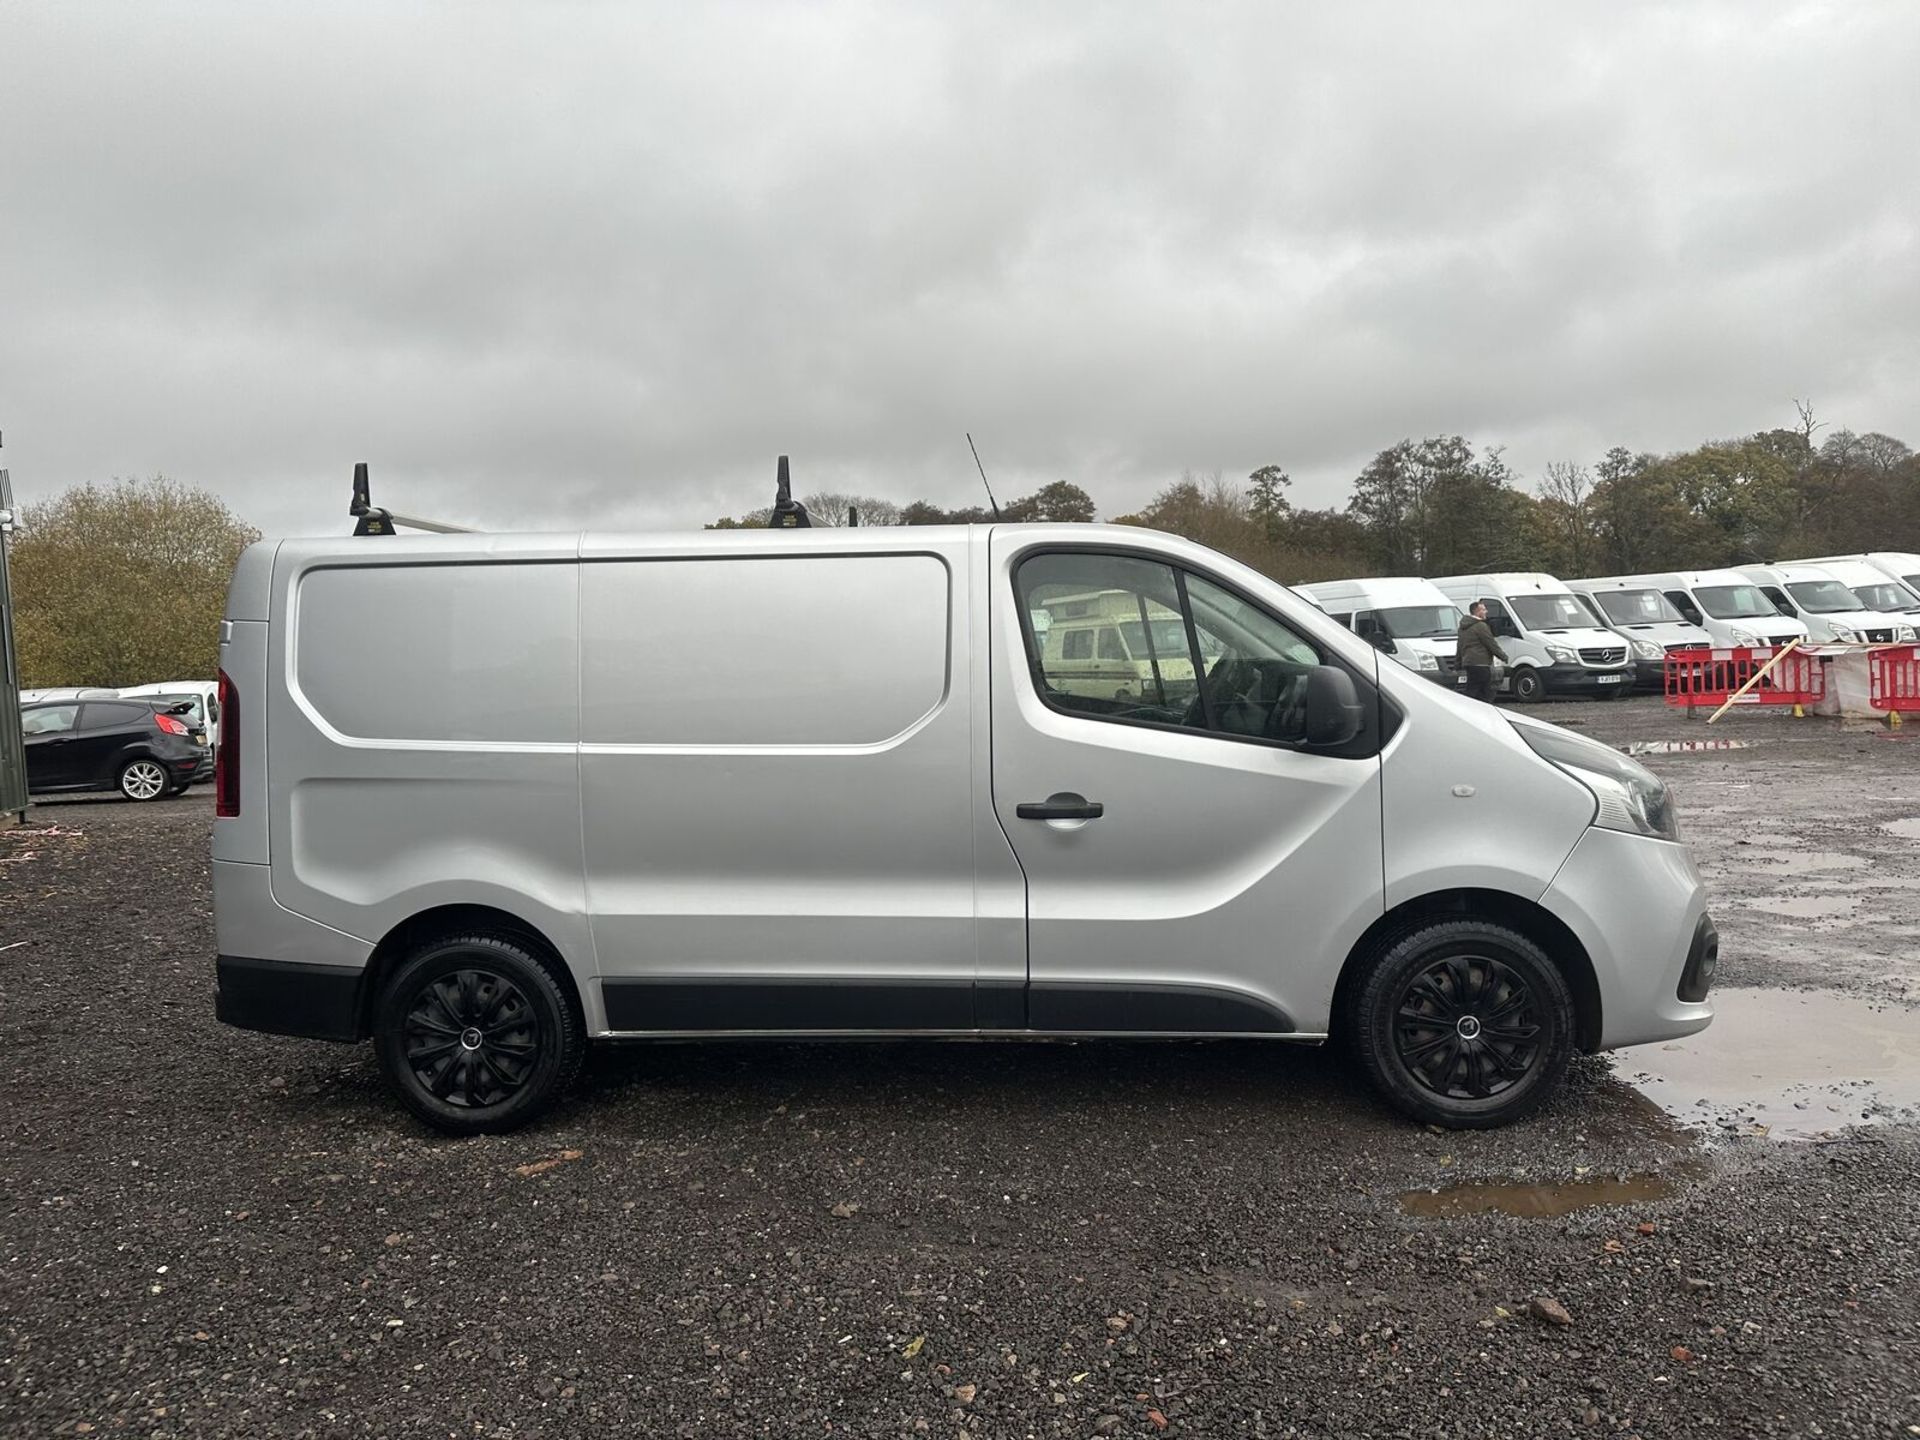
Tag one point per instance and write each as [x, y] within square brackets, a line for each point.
[1639, 909]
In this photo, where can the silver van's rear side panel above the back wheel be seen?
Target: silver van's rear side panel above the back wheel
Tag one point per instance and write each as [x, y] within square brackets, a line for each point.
[423, 732]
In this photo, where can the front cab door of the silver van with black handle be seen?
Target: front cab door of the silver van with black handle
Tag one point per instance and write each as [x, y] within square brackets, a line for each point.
[1191, 865]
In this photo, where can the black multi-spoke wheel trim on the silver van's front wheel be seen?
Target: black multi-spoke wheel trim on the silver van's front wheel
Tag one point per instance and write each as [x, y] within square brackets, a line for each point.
[1462, 994]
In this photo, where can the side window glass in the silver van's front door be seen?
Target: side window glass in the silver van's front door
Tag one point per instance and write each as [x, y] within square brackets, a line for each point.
[1247, 679]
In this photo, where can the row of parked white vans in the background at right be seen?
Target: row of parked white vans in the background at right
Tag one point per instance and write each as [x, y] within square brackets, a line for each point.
[1604, 636]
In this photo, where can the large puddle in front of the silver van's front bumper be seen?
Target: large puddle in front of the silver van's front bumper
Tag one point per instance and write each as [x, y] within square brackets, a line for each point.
[1787, 1065]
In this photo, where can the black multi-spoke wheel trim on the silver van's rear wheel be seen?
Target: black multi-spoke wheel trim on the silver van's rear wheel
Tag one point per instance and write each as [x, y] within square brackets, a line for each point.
[471, 1038]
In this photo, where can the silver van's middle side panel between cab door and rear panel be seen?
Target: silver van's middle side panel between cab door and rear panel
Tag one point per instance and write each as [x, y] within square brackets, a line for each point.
[777, 782]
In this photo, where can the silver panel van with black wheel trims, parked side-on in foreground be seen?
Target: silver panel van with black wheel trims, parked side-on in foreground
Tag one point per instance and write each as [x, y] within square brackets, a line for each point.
[825, 784]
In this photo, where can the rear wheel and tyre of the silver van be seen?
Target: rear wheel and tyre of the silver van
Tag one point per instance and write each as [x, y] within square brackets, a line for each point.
[477, 1036]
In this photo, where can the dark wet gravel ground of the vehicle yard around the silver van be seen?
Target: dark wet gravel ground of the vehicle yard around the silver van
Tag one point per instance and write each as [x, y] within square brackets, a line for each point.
[222, 1234]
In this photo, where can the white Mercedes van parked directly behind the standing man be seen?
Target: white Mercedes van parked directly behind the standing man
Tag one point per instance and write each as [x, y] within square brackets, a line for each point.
[1550, 638]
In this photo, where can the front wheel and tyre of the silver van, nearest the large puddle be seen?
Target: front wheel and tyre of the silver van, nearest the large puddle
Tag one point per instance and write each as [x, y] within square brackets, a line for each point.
[1464, 1024]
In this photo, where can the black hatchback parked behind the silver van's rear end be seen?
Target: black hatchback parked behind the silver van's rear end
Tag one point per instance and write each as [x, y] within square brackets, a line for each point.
[124, 746]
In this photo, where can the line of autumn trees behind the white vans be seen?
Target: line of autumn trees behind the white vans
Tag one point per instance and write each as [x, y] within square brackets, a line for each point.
[1441, 506]
